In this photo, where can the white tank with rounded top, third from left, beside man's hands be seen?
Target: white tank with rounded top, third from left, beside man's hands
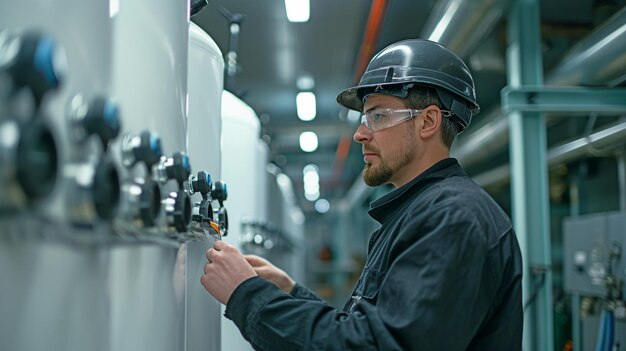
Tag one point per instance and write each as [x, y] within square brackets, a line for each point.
[205, 86]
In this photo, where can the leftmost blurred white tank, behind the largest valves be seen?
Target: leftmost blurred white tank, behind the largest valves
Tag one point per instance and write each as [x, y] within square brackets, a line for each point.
[54, 295]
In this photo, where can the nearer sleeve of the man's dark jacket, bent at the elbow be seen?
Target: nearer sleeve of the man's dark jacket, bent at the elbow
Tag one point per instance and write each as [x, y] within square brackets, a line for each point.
[431, 298]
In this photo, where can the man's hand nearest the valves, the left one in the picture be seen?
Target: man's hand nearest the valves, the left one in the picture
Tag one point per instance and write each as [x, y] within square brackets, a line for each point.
[226, 269]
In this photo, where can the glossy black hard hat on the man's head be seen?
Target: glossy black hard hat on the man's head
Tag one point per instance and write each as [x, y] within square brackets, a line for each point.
[418, 62]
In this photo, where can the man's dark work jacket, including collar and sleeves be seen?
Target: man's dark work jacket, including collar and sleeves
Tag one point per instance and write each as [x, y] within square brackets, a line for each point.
[443, 273]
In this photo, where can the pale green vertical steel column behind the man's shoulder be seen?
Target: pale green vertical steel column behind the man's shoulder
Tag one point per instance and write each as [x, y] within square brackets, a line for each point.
[530, 175]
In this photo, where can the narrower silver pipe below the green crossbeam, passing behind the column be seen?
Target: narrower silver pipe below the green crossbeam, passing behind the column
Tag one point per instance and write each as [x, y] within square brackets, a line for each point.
[584, 146]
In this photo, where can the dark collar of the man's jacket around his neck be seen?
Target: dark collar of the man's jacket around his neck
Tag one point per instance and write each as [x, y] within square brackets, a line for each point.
[380, 208]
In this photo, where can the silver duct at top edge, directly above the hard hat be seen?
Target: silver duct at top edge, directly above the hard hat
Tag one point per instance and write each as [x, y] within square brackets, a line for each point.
[460, 25]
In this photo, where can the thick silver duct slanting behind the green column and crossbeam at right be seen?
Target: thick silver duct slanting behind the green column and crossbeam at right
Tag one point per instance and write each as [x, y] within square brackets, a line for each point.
[598, 60]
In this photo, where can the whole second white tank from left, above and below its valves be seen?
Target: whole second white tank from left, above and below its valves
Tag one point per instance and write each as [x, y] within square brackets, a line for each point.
[148, 280]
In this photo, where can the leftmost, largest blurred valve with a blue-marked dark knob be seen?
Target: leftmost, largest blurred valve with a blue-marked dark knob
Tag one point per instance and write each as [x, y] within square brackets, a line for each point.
[28, 151]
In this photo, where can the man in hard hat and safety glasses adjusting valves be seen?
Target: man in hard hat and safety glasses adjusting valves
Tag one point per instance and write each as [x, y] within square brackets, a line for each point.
[444, 270]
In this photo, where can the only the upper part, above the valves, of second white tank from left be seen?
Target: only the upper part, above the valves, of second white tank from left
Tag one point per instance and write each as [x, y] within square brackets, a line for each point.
[150, 68]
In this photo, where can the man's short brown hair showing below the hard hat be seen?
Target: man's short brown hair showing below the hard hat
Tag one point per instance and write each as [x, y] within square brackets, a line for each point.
[421, 97]
